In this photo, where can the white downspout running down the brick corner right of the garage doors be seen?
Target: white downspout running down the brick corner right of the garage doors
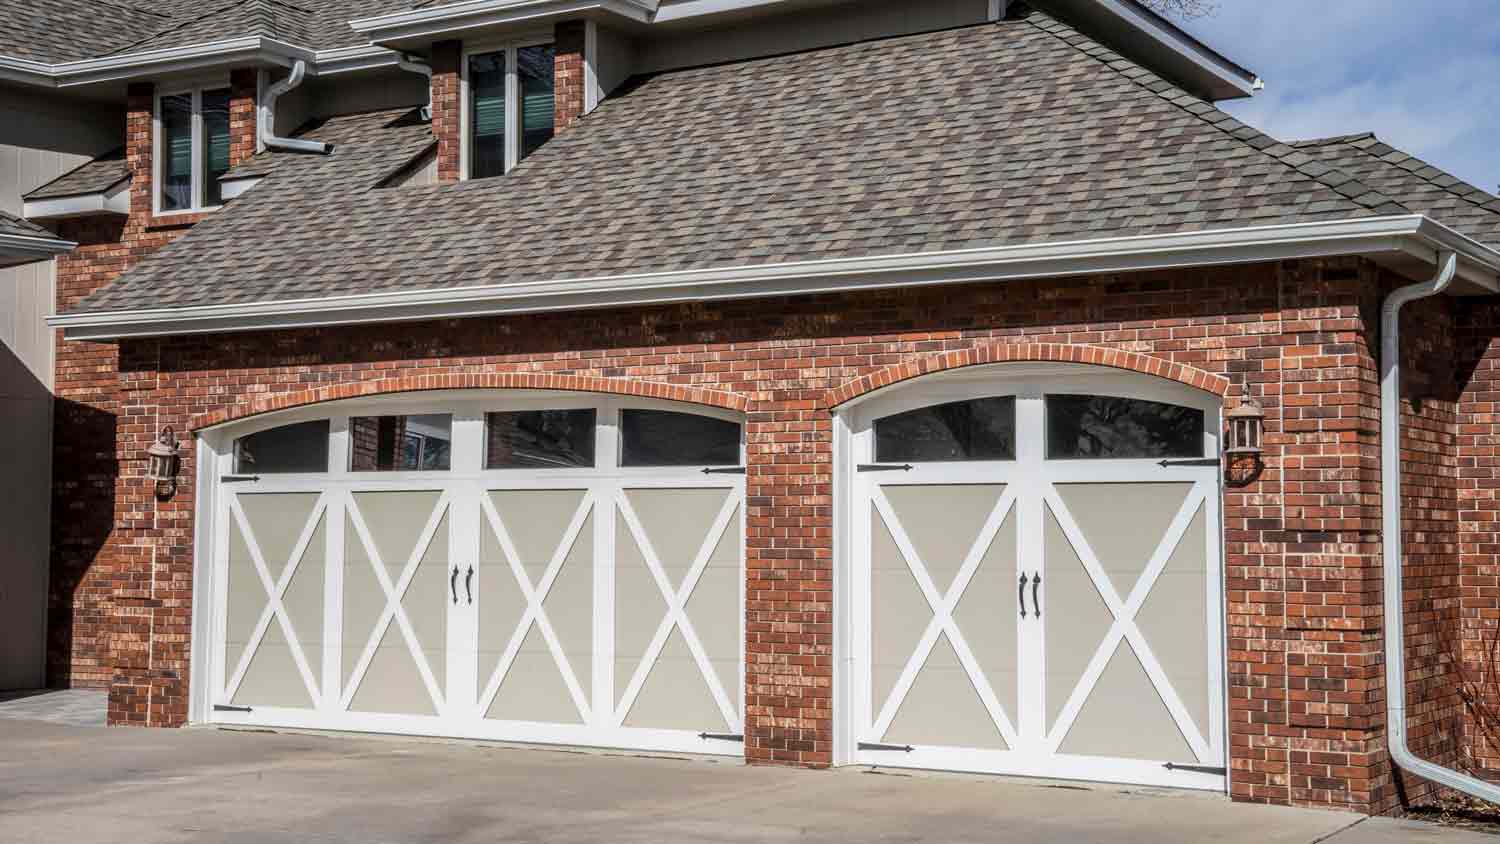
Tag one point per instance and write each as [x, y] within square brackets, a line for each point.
[1391, 536]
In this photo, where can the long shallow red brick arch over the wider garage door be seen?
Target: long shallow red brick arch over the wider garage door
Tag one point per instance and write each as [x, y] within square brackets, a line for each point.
[481, 382]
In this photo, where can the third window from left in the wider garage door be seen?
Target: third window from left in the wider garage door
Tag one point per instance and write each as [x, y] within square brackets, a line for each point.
[541, 440]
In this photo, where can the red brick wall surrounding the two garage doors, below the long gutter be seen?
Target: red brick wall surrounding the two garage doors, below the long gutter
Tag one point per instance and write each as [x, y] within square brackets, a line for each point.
[1301, 540]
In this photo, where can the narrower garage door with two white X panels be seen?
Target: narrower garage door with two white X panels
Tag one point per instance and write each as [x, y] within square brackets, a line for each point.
[1036, 578]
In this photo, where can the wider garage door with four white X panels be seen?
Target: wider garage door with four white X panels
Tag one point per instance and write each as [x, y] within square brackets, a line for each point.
[523, 567]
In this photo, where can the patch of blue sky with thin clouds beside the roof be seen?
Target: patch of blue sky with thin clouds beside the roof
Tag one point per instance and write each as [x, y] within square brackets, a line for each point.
[1421, 76]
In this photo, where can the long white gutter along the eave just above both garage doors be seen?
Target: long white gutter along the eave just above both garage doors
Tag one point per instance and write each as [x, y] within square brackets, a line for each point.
[1406, 238]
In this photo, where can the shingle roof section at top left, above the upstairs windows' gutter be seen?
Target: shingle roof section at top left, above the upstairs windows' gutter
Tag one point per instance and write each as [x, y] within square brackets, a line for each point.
[67, 31]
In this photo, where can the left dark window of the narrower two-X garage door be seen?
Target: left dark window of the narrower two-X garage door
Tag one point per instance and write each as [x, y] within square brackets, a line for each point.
[979, 429]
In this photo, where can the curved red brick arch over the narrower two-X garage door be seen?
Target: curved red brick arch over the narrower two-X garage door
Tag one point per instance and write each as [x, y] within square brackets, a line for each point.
[1012, 353]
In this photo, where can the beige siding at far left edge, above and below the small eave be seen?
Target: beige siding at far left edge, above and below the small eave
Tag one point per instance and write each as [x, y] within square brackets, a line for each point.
[40, 140]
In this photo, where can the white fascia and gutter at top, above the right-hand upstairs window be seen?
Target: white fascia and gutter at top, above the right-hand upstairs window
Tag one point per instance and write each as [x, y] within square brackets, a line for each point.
[481, 14]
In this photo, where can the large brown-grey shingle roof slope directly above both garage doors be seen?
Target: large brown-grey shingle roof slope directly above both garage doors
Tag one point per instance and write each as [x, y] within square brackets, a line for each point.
[1000, 134]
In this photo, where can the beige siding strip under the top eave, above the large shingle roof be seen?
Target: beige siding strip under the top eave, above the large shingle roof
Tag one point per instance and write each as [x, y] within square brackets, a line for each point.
[839, 23]
